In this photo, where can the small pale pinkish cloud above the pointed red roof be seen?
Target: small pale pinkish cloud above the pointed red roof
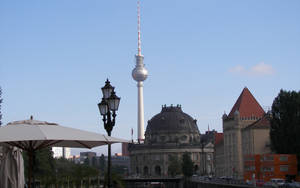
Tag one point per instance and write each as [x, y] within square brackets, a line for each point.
[261, 69]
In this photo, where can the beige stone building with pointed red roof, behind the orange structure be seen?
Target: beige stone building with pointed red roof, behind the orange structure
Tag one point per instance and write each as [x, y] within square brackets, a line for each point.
[246, 131]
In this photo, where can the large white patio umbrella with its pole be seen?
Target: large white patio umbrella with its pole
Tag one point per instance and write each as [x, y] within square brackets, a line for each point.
[32, 135]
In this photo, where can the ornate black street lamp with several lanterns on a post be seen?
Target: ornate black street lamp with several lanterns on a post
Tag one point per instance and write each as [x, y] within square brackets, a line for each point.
[108, 107]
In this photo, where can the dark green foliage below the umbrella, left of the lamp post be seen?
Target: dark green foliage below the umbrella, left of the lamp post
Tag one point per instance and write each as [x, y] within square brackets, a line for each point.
[60, 172]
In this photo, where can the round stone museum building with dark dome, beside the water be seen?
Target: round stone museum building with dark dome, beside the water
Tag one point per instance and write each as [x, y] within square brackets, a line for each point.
[170, 133]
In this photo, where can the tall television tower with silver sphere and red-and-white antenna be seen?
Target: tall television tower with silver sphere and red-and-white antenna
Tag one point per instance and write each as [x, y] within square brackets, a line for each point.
[139, 74]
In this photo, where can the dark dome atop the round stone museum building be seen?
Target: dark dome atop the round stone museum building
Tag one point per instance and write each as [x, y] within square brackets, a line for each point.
[172, 119]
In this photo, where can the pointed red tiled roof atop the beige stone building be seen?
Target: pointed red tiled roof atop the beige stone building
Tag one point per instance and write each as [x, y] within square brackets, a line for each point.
[247, 105]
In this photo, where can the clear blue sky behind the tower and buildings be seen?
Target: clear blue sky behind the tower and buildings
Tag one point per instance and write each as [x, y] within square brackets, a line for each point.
[55, 56]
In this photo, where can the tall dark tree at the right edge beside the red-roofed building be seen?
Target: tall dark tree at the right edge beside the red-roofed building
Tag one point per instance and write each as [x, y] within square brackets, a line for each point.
[285, 123]
